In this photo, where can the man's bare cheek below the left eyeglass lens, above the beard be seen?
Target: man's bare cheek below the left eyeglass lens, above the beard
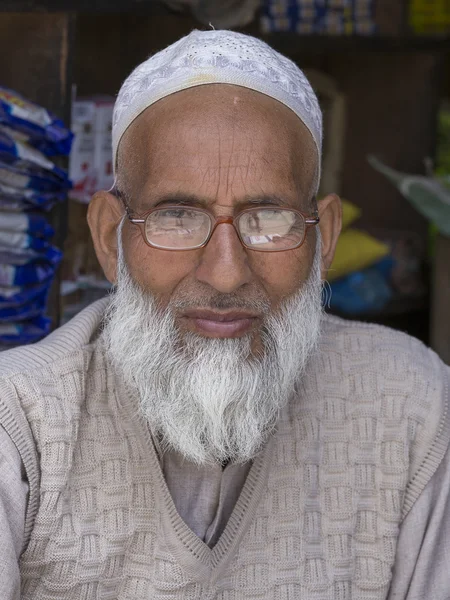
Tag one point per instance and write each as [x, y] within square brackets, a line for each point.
[157, 271]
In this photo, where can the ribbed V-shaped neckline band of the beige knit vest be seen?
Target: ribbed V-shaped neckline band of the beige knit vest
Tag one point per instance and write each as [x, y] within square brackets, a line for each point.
[204, 564]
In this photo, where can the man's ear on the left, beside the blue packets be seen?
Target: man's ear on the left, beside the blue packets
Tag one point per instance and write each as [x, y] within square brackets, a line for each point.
[105, 212]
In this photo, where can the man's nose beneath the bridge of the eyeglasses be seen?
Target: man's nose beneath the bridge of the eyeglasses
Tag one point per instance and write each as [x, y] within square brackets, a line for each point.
[224, 261]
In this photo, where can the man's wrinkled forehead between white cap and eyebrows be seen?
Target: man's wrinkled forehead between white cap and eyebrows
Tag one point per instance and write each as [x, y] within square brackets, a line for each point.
[188, 137]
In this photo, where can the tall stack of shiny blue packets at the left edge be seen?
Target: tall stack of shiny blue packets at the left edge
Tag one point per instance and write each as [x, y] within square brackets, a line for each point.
[30, 184]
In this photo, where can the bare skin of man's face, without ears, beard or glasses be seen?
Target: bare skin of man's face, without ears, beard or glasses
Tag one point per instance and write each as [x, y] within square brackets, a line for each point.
[223, 148]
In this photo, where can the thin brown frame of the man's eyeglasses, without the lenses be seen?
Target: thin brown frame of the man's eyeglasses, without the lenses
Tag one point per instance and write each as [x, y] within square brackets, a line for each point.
[309, 220]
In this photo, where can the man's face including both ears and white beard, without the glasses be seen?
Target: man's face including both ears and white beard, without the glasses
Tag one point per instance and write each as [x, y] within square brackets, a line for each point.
[213, 339]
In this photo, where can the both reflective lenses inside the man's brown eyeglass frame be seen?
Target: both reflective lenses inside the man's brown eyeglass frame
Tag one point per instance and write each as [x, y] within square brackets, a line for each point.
[261, 229]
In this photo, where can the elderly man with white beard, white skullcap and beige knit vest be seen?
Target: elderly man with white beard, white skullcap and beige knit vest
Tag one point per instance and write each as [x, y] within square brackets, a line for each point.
[207, 432]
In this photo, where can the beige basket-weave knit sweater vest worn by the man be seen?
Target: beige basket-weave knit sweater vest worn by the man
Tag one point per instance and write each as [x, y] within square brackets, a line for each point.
[318, 517]
